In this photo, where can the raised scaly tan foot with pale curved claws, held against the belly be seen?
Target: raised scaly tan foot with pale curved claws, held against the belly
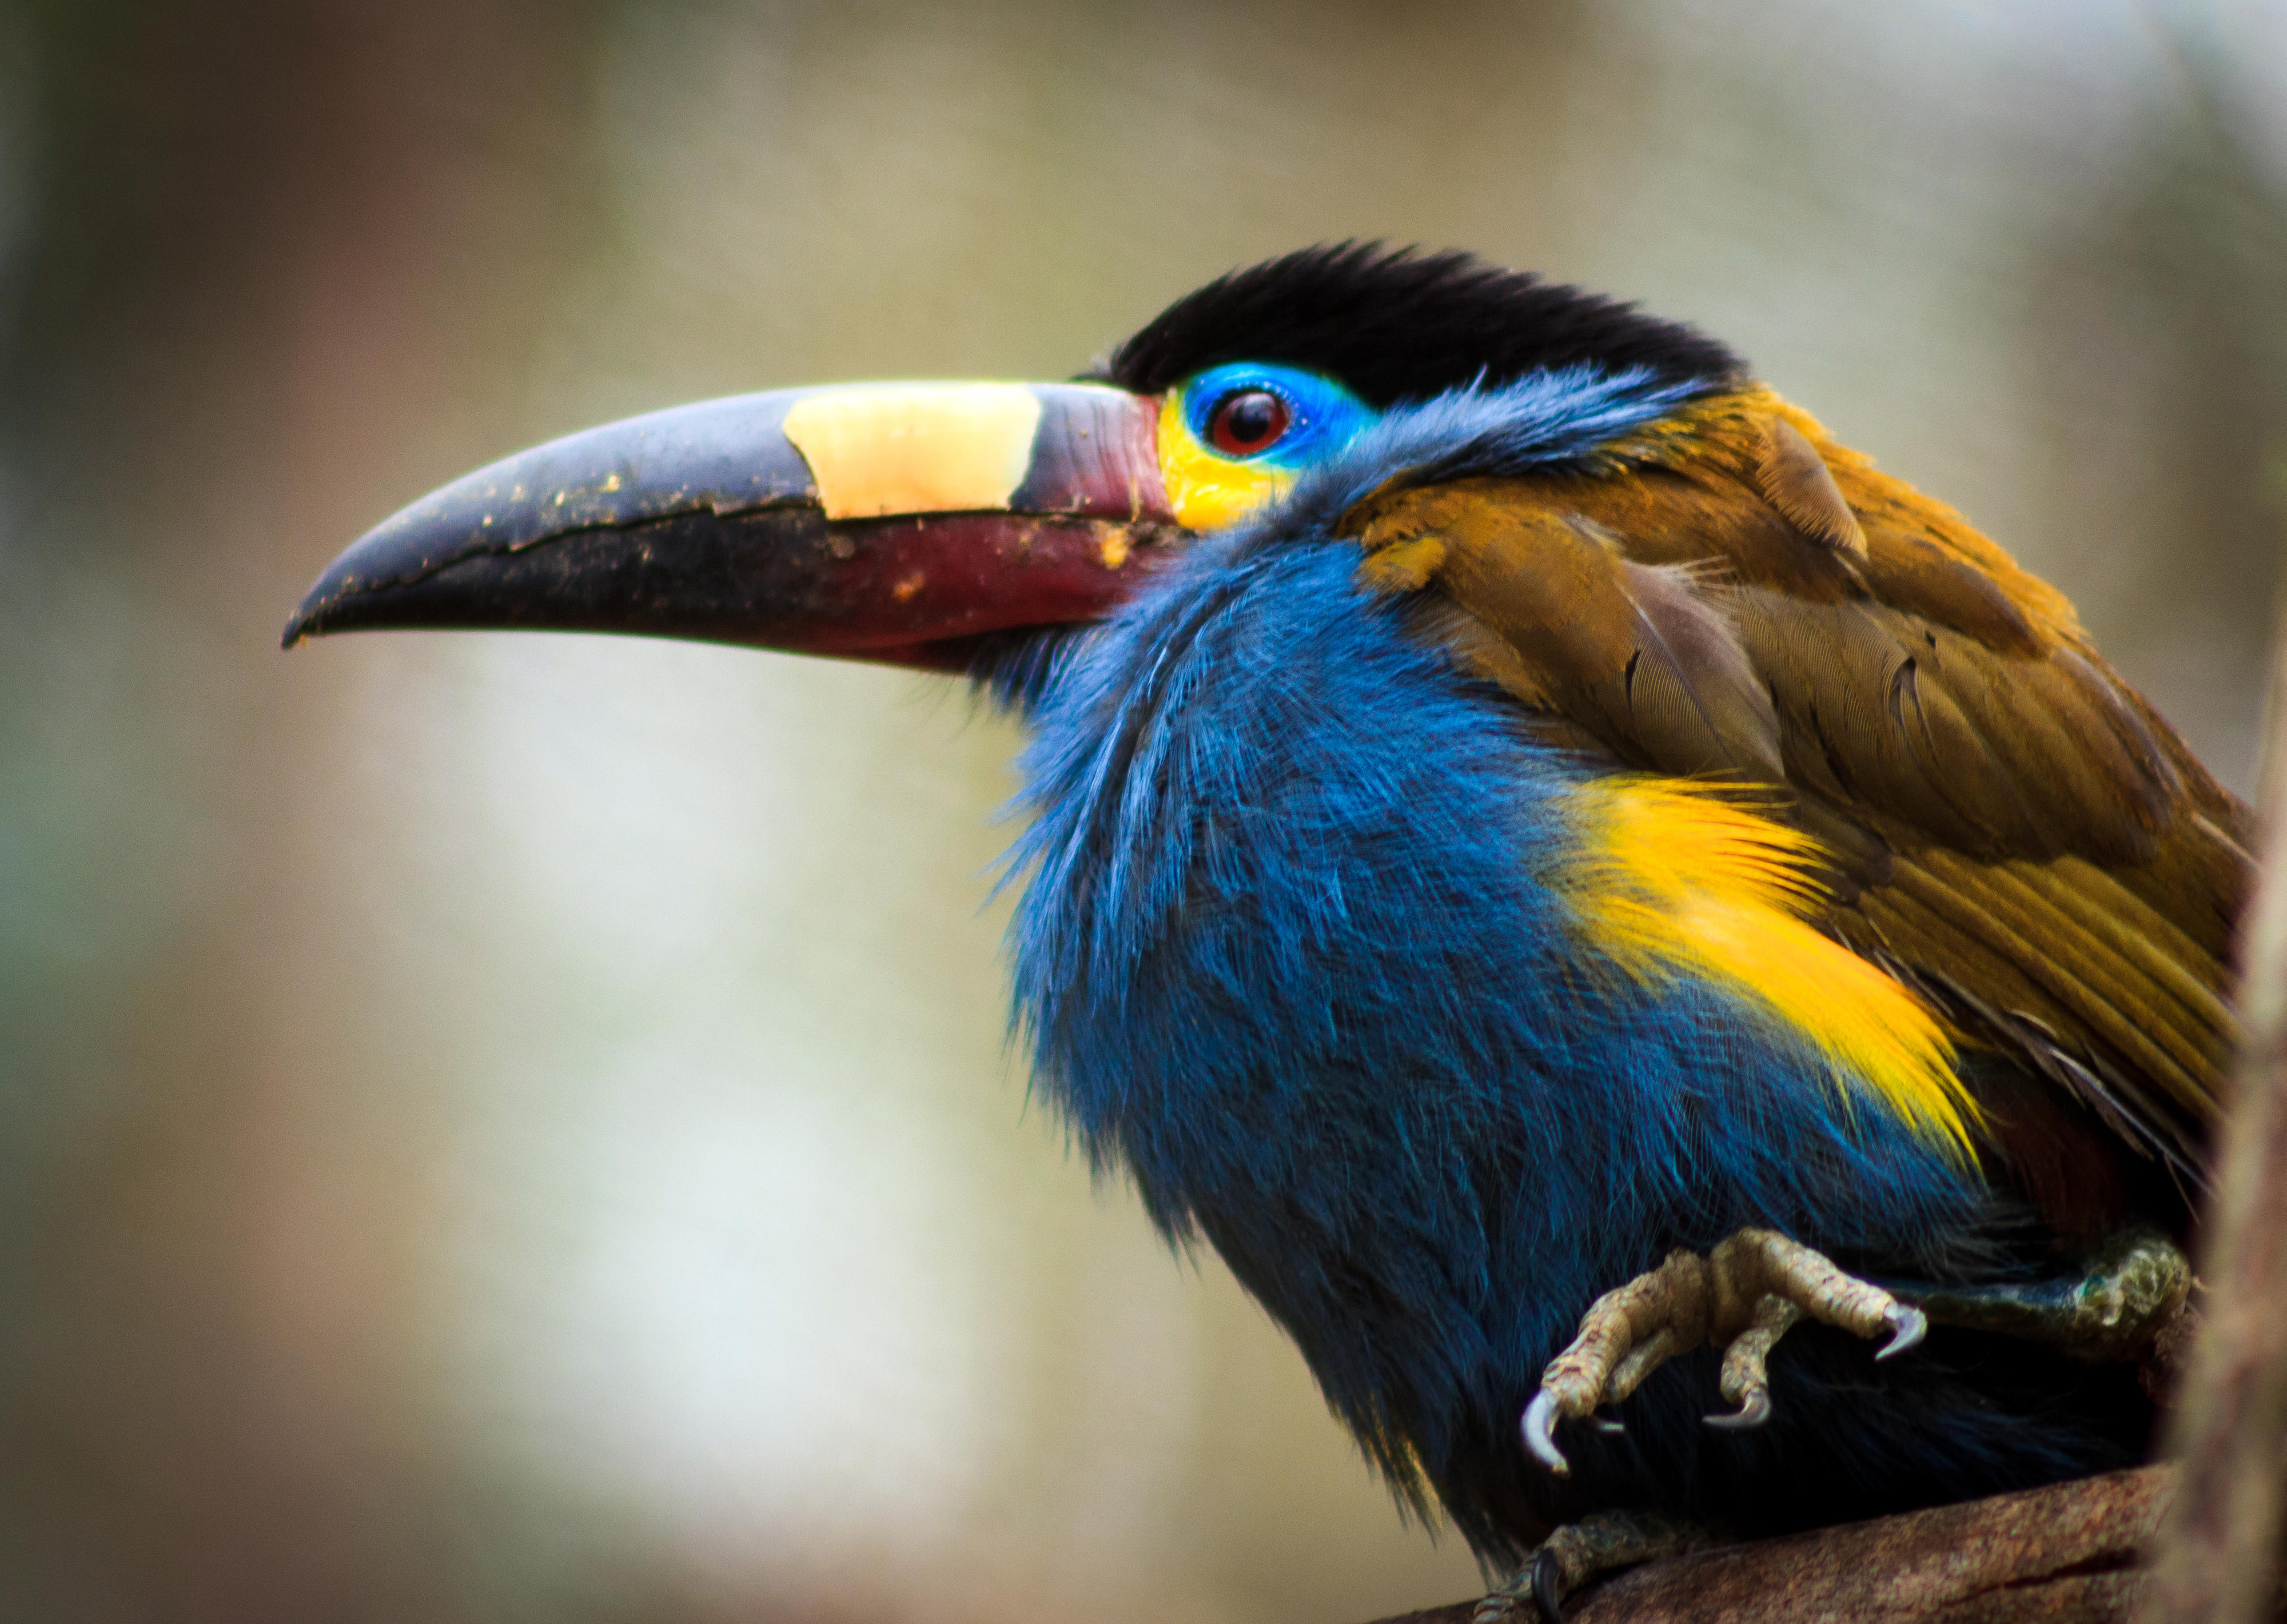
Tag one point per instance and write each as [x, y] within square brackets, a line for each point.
[1744, 1296]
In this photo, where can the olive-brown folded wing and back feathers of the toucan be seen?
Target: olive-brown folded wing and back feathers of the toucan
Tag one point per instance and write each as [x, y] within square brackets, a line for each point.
[2009, 829]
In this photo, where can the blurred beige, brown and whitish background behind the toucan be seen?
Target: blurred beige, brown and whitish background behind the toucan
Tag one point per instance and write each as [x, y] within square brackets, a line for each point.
[520, 1129]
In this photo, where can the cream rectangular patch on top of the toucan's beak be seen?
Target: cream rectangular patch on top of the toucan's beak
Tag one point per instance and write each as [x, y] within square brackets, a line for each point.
[884, 449]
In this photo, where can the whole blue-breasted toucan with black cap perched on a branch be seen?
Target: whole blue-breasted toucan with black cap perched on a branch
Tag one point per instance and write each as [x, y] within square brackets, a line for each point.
[1655, 950]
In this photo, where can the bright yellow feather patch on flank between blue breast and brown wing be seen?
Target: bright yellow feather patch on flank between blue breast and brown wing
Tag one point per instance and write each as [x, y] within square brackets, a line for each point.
[1678, 879]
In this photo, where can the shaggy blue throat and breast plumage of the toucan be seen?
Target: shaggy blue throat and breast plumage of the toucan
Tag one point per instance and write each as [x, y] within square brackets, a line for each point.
[1293, 950]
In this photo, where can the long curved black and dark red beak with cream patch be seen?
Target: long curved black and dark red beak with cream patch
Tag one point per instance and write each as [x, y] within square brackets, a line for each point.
[891, 523]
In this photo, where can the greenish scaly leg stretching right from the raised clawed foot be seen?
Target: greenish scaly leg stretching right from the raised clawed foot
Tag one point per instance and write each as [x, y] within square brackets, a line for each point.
[2130, 1305]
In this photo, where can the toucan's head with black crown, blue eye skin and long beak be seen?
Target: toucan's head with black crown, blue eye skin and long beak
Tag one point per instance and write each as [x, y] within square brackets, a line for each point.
[943, 525]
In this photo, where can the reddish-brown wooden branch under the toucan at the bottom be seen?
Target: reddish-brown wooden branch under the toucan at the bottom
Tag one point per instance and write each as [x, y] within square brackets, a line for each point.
[2064, 1554]
